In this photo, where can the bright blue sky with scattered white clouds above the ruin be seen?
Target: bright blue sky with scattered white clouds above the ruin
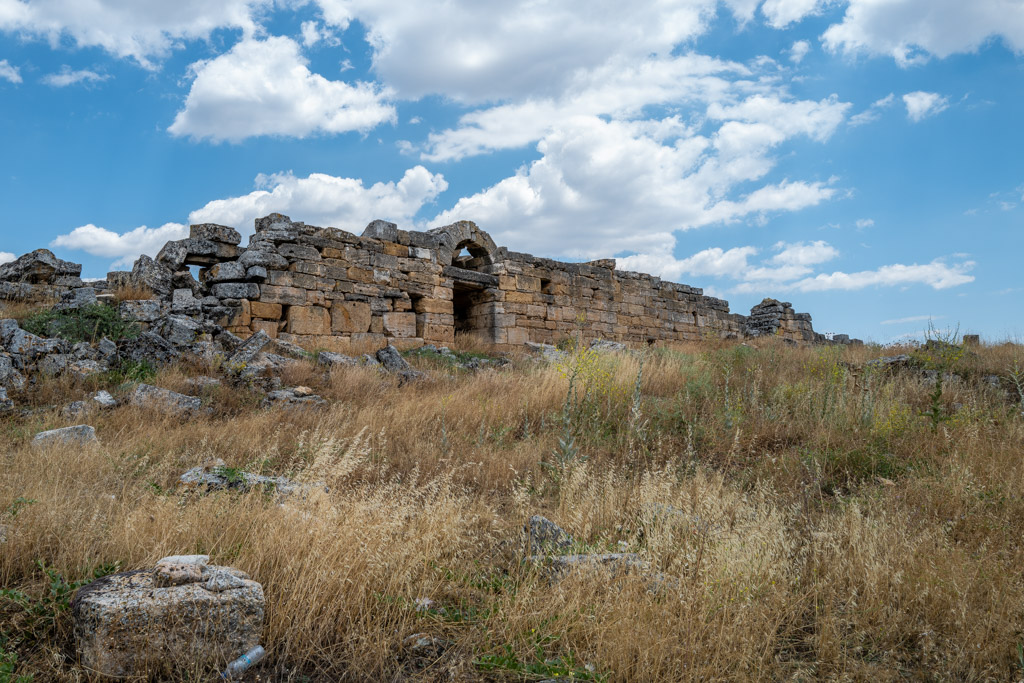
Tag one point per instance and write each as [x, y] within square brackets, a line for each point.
[862, 159]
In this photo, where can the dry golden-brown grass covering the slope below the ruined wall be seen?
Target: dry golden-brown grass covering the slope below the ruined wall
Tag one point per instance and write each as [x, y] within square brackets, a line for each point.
[804, 521]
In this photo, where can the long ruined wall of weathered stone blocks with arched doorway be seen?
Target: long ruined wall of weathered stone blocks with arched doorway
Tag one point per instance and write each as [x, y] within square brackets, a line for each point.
[322, 287]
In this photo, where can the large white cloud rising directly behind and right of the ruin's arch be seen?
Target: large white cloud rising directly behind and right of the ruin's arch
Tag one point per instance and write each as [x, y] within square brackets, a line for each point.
[604, 188]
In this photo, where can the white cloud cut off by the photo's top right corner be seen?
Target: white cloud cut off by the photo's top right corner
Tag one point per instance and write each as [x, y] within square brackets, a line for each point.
[911, 31]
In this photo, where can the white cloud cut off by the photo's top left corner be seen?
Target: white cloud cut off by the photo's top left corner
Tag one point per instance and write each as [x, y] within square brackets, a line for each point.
[142, 30]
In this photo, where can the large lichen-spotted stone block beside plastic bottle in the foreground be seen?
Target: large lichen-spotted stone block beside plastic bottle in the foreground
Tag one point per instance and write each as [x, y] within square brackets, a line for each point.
[129, 625]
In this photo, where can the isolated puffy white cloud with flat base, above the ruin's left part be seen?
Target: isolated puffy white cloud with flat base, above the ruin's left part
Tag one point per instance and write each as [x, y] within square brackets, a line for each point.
[265, 88]
